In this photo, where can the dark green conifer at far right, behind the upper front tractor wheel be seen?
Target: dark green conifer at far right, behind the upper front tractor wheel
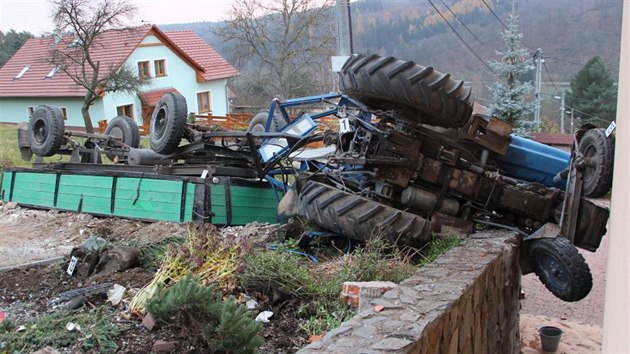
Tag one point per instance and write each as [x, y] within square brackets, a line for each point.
[593, 94]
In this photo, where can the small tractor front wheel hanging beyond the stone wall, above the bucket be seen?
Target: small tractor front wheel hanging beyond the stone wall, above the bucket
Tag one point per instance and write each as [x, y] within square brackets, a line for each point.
[561, 268]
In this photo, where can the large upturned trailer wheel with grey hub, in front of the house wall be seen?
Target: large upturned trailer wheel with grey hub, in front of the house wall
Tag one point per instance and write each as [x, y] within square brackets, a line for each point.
[168, 122]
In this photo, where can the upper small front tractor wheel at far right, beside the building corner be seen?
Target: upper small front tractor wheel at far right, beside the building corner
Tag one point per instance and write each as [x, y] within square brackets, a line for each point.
[598, 149]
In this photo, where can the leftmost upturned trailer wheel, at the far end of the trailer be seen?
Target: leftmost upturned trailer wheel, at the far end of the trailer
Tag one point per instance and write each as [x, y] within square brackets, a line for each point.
[45, 130]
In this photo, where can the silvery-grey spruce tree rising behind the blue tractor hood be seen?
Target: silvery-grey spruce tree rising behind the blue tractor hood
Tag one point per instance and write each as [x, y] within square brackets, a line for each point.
[508, 92]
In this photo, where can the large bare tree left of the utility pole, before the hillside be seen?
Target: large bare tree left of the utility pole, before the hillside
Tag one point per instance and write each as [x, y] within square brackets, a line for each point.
[282, 47]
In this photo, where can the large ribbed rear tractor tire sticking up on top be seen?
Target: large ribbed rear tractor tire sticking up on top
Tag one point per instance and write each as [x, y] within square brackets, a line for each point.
[410, 90]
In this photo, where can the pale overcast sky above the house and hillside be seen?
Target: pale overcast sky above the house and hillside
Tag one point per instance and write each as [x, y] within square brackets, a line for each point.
[35, 15]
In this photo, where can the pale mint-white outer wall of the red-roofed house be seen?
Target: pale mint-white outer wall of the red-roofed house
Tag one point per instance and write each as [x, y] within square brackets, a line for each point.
[179, 75]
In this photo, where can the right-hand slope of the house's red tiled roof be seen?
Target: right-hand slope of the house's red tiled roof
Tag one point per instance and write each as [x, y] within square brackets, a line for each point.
[215, 67]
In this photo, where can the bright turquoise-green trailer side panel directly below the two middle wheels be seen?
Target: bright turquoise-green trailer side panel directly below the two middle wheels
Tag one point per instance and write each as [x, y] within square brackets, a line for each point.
[148, 198]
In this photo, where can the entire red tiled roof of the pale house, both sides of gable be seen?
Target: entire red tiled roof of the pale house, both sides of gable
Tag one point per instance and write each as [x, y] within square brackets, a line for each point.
[112, 49]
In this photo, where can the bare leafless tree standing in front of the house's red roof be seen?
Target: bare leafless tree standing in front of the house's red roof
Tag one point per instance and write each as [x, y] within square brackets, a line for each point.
[86, 20]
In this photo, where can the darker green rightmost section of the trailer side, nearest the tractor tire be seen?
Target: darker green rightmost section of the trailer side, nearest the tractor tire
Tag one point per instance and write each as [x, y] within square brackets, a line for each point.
[247, 204]
